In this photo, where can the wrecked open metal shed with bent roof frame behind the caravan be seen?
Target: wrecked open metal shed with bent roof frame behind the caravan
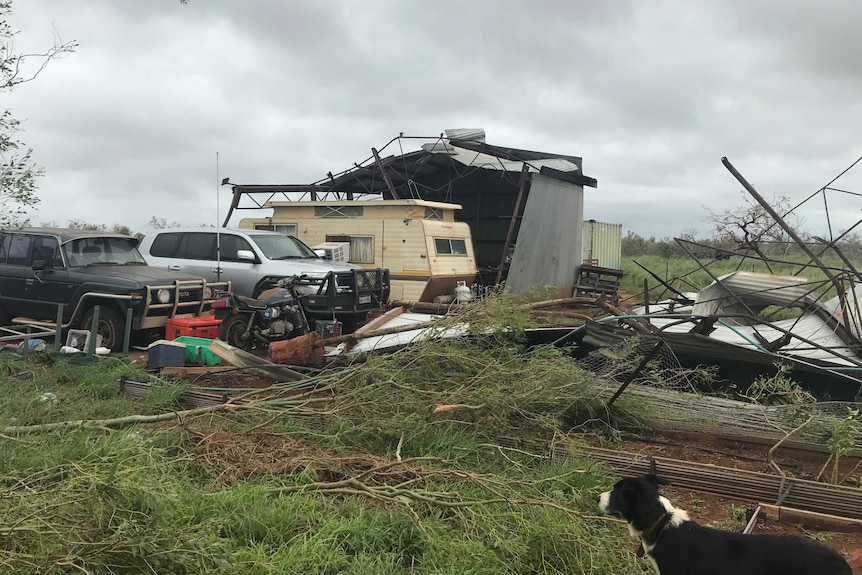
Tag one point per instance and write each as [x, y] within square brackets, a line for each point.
[524, 207]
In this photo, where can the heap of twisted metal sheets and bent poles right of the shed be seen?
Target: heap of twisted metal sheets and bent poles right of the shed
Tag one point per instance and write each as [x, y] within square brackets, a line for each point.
[749, 324]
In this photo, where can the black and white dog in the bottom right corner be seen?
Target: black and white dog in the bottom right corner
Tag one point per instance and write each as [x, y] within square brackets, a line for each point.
[679, 546]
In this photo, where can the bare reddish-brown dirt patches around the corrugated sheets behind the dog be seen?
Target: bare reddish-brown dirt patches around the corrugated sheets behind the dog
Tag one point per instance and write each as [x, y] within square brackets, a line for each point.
[717, 511]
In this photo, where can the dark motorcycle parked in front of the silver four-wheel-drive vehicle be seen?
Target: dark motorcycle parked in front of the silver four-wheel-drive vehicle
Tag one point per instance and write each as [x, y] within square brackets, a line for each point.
[276, 314]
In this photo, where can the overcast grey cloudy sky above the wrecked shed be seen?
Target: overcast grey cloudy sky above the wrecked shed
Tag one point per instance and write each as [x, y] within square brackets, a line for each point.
[650, 94]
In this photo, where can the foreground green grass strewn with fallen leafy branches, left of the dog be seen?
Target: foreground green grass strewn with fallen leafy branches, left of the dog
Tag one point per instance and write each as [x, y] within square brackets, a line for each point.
[257, 492]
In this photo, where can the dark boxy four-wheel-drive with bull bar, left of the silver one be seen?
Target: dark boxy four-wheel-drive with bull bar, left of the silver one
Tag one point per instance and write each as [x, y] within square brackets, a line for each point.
[79, 269]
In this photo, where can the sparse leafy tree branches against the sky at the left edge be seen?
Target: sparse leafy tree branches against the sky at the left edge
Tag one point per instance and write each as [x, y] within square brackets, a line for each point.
[18, 172]
